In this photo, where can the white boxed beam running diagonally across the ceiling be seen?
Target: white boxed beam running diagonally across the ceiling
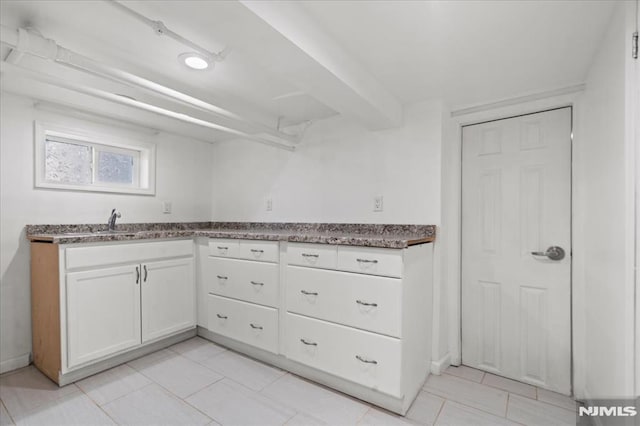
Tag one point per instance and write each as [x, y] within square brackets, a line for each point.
[303, 53]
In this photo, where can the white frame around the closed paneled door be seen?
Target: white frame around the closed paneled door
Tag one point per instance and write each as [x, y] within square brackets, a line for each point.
[450, 237]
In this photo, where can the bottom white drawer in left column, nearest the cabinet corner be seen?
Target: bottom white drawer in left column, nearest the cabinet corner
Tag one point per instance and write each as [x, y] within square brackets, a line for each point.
[252, 324]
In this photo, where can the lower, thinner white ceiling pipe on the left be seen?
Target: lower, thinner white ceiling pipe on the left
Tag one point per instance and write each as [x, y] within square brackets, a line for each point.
[21, 72]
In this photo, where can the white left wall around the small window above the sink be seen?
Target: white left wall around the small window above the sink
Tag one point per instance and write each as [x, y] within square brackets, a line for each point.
[183, 177]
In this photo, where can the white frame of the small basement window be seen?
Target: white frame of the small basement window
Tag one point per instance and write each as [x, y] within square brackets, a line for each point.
[144, 169]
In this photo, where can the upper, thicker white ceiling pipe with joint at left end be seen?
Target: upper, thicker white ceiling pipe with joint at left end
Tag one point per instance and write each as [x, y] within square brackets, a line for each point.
[28, 42]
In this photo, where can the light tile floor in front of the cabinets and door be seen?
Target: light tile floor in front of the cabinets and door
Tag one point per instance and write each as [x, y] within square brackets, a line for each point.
[199, 383]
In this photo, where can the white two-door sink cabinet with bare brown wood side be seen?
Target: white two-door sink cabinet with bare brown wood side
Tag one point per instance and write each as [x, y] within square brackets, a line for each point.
[92, 302]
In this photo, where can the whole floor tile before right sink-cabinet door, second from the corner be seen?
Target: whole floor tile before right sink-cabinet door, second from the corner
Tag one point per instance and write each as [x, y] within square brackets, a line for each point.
[179, 375]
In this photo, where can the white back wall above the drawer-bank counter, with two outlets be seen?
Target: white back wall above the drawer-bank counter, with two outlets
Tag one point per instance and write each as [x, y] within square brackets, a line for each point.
[335, 173]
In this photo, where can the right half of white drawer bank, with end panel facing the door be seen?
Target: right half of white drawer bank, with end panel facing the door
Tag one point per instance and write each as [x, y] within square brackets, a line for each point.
[366, 320]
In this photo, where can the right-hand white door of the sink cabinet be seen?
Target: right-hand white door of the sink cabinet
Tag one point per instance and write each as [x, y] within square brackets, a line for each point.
[168, 297]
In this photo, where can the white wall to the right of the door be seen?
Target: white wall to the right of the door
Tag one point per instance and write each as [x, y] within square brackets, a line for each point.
[604, 148]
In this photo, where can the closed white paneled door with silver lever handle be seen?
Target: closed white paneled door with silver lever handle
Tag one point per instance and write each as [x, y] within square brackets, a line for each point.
[516, 200]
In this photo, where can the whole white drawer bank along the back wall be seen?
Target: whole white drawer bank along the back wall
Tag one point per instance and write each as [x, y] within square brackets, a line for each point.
[354, 318]
